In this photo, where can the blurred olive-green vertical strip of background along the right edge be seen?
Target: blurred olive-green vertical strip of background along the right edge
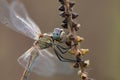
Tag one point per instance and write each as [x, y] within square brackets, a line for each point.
[115, 47]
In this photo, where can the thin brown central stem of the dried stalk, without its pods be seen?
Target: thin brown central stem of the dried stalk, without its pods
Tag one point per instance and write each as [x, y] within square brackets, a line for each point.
[72, 31]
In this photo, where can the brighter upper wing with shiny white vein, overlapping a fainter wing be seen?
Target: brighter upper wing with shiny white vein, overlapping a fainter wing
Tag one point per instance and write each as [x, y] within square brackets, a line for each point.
[21, 21]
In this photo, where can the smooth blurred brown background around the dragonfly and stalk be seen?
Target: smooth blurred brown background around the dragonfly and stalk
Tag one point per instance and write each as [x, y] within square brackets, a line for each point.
[100, 26]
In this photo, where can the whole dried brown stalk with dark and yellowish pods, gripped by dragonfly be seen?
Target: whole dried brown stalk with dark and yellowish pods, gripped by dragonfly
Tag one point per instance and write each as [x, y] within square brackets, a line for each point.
[73, 27]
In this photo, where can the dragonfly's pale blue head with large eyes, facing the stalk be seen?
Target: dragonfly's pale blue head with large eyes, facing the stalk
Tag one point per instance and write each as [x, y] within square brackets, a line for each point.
[57, 33]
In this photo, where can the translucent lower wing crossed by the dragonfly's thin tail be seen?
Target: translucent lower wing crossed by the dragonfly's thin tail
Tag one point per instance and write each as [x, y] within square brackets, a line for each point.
[42, 65]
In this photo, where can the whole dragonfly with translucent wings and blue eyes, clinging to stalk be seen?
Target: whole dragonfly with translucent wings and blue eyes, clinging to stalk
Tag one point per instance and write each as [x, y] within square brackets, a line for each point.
[37, 59]
